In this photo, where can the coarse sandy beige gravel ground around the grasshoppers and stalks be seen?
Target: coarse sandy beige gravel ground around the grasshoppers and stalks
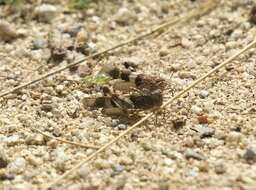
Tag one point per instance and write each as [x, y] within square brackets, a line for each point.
[215, 146]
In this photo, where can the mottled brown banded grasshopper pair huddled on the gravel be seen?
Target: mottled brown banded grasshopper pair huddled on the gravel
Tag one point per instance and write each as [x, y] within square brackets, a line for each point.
[129, 90]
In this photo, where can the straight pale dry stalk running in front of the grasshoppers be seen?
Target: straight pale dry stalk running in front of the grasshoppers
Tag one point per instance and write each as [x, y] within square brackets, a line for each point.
[180, 94]
